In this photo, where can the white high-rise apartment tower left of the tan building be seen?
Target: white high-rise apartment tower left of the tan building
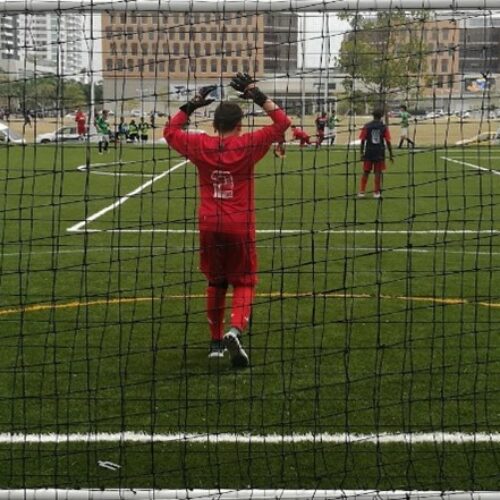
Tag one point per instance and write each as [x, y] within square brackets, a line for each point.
[53, 42]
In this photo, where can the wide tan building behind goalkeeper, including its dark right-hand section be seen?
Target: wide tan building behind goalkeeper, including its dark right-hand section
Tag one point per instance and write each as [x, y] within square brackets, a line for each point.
[148, 58]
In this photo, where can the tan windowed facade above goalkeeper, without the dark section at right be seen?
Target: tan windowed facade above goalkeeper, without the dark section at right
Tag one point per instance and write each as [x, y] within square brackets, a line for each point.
[181, 47]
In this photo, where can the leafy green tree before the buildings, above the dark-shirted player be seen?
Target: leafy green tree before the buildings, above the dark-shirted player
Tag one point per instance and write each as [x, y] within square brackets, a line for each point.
[386, 52]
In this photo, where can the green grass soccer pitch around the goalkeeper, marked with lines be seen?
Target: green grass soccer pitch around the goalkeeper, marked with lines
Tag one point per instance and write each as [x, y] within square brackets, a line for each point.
[371, 316]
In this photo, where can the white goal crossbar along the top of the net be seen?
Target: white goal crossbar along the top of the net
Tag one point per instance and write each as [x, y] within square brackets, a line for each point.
[12, 6]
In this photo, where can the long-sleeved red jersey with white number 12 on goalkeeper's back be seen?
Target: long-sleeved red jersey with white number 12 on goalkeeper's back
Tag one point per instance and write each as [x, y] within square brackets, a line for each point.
[225, 170]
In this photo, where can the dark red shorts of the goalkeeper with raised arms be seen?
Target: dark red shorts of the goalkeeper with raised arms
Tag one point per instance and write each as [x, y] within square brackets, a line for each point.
[228, 257]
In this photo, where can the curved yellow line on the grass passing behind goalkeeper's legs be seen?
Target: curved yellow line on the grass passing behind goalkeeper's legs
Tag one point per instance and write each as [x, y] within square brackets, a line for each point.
[287, 295]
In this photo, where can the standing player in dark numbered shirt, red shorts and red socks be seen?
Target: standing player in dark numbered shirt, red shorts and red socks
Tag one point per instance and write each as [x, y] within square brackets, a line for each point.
[374, 136]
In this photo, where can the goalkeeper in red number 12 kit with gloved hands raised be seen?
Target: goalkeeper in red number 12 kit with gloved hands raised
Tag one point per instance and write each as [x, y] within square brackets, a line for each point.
[225, 164]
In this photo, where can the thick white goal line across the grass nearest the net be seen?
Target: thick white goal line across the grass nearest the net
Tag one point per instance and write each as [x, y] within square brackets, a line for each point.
[338, 438]
